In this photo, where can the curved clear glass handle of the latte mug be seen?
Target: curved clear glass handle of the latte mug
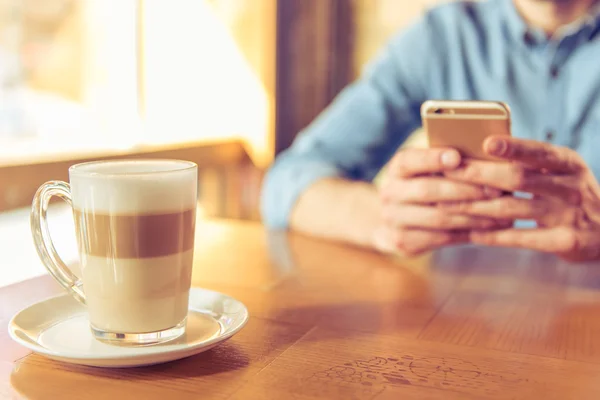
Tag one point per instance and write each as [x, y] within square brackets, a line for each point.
[43, 242]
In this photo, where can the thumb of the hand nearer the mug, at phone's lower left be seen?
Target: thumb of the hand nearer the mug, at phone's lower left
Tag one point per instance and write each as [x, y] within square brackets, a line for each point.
[412, 162]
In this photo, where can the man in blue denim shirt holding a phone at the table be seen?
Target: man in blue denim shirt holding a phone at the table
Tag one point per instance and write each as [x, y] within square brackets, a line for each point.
[541, 57]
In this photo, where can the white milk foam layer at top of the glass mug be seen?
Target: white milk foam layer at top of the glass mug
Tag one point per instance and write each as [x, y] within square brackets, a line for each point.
[134, 186]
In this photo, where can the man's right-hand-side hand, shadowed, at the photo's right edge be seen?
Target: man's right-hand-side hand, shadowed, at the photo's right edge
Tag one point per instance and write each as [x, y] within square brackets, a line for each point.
[565, 202]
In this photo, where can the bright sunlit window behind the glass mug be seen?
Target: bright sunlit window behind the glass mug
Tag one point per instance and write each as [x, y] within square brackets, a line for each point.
[108, 75]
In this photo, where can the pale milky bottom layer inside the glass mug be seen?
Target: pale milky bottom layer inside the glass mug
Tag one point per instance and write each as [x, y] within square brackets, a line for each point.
[135, 295]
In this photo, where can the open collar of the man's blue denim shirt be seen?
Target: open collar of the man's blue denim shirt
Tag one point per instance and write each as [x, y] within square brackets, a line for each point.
[523, 33]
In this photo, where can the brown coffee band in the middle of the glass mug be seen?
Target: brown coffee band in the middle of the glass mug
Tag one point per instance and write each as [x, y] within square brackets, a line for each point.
[134, 236]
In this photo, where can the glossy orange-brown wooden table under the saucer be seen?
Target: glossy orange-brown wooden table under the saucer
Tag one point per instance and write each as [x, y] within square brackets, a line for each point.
[329, 321]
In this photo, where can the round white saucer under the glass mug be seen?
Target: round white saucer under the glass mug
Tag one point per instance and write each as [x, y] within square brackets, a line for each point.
[58, 328]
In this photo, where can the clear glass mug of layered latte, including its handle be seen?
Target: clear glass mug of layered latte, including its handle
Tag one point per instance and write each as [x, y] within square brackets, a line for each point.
[134, 221]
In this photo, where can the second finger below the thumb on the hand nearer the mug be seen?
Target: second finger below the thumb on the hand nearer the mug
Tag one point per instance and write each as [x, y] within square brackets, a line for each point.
[418, 216]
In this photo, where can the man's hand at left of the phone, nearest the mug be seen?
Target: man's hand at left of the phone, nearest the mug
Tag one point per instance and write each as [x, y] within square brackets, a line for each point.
[412, 222]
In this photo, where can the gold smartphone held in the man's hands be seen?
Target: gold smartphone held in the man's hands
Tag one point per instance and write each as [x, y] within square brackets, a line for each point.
[464, 125]
